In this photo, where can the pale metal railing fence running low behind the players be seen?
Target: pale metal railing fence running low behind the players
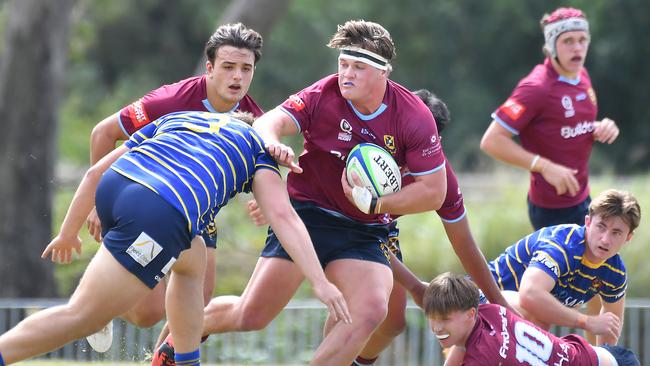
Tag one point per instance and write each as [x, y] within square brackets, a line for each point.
[292, 337]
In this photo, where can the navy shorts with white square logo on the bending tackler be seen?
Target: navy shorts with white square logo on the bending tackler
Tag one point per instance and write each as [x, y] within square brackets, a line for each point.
[142, 231]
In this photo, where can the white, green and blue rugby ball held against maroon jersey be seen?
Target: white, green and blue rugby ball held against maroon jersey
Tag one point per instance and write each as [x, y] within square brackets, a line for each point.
[375, 167]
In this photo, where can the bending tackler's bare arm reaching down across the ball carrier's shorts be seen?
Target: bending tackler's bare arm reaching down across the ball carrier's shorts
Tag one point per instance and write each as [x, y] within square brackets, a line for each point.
[271, 194]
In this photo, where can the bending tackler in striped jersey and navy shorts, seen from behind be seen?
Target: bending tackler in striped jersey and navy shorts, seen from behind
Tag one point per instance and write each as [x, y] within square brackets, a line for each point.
[153, 195]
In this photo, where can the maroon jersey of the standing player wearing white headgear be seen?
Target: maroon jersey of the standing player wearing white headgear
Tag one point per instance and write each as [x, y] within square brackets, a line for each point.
[554, 117]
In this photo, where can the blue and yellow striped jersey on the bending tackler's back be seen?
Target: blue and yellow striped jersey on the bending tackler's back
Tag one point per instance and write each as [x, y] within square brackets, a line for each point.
[196, 161]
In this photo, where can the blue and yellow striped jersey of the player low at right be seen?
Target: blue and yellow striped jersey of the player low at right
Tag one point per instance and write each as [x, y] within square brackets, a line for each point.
[558, 250]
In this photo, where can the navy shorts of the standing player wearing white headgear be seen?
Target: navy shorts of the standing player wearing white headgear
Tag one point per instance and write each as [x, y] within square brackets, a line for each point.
[542, 217]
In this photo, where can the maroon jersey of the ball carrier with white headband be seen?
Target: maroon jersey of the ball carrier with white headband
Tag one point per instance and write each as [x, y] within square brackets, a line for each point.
[331, 127]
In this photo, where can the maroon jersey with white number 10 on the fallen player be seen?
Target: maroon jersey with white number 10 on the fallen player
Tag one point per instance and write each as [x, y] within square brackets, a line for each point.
[502, 339]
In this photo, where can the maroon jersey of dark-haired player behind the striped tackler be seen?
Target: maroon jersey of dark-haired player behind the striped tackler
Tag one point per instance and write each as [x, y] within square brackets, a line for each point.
[186, 95]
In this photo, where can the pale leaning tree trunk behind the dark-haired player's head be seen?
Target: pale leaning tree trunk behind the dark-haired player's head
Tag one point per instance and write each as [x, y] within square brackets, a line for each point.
[259, 15]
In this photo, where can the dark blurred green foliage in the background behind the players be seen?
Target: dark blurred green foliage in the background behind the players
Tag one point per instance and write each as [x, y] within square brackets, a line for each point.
[470, 52]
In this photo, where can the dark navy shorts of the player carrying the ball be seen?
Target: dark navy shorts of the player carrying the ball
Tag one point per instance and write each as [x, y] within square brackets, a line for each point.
[335, 237]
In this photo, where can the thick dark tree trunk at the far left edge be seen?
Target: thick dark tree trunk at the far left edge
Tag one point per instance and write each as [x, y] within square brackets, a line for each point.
[31, 84]
